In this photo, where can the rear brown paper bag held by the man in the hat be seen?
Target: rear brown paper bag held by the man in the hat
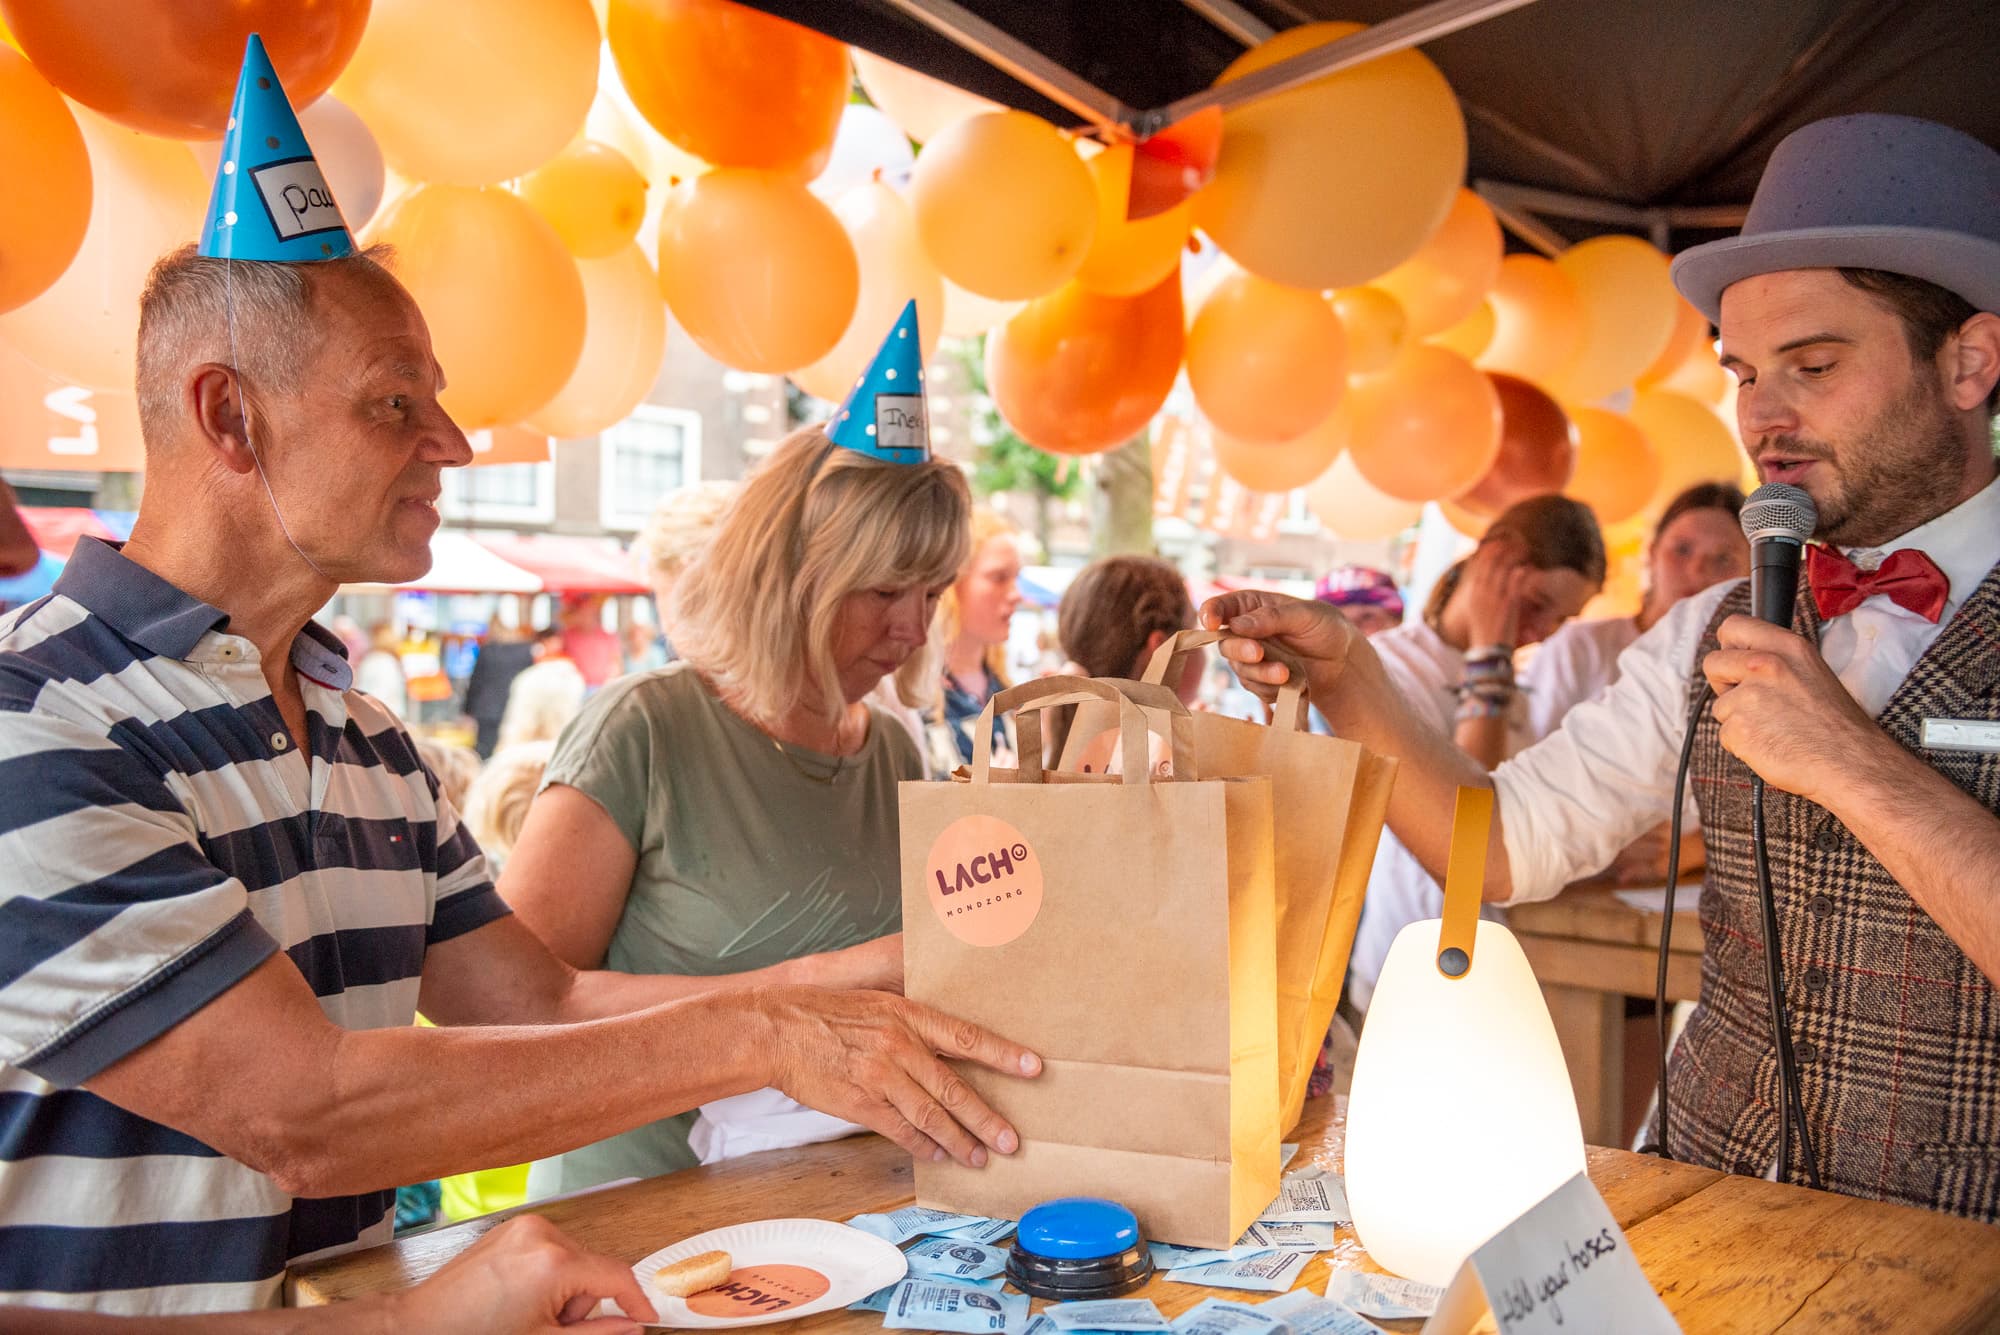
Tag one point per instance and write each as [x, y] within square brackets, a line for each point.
[1329, 802]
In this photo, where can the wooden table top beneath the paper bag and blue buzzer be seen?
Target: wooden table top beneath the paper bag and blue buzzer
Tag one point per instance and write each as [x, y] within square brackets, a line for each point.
[1729, 1254]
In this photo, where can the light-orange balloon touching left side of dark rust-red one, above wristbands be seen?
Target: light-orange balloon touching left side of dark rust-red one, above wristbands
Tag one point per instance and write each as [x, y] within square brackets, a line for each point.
[1427, 427]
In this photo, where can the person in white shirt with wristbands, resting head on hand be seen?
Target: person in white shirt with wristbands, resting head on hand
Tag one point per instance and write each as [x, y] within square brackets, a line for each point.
[1535, 569]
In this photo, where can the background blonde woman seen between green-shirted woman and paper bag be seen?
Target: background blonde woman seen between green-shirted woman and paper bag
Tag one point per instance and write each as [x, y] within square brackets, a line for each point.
[971, 637]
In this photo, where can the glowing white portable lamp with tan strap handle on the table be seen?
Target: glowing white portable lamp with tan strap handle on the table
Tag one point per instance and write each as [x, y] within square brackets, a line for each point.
[1461, 1116]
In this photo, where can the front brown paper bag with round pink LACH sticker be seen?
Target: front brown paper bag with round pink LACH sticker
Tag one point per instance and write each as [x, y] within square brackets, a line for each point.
[1123, 928]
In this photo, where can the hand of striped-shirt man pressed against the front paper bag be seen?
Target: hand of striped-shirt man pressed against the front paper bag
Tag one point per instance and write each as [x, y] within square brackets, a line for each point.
[875, 1060]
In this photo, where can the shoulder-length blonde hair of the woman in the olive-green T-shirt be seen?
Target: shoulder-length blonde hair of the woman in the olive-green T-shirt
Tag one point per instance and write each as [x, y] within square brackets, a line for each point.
[815, 525]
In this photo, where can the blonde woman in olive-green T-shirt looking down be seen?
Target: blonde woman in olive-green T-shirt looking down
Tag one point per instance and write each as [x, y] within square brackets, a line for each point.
[733, 816]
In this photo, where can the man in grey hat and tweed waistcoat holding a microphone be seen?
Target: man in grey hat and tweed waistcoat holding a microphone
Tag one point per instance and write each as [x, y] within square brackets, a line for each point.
[1857, 313]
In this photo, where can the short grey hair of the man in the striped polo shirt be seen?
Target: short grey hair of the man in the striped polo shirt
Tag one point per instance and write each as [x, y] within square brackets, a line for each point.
[185, 321]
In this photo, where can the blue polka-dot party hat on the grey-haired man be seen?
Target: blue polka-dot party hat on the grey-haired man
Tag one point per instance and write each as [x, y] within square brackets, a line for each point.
[271, 201]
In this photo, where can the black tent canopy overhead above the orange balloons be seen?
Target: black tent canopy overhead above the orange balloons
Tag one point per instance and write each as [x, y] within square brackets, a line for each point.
[1583, 117]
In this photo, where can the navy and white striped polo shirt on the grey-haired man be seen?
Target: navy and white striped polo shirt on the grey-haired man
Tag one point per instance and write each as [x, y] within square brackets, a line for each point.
[161, 836]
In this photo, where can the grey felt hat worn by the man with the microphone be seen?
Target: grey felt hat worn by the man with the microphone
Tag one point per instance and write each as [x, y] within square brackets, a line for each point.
[1881, 193]
